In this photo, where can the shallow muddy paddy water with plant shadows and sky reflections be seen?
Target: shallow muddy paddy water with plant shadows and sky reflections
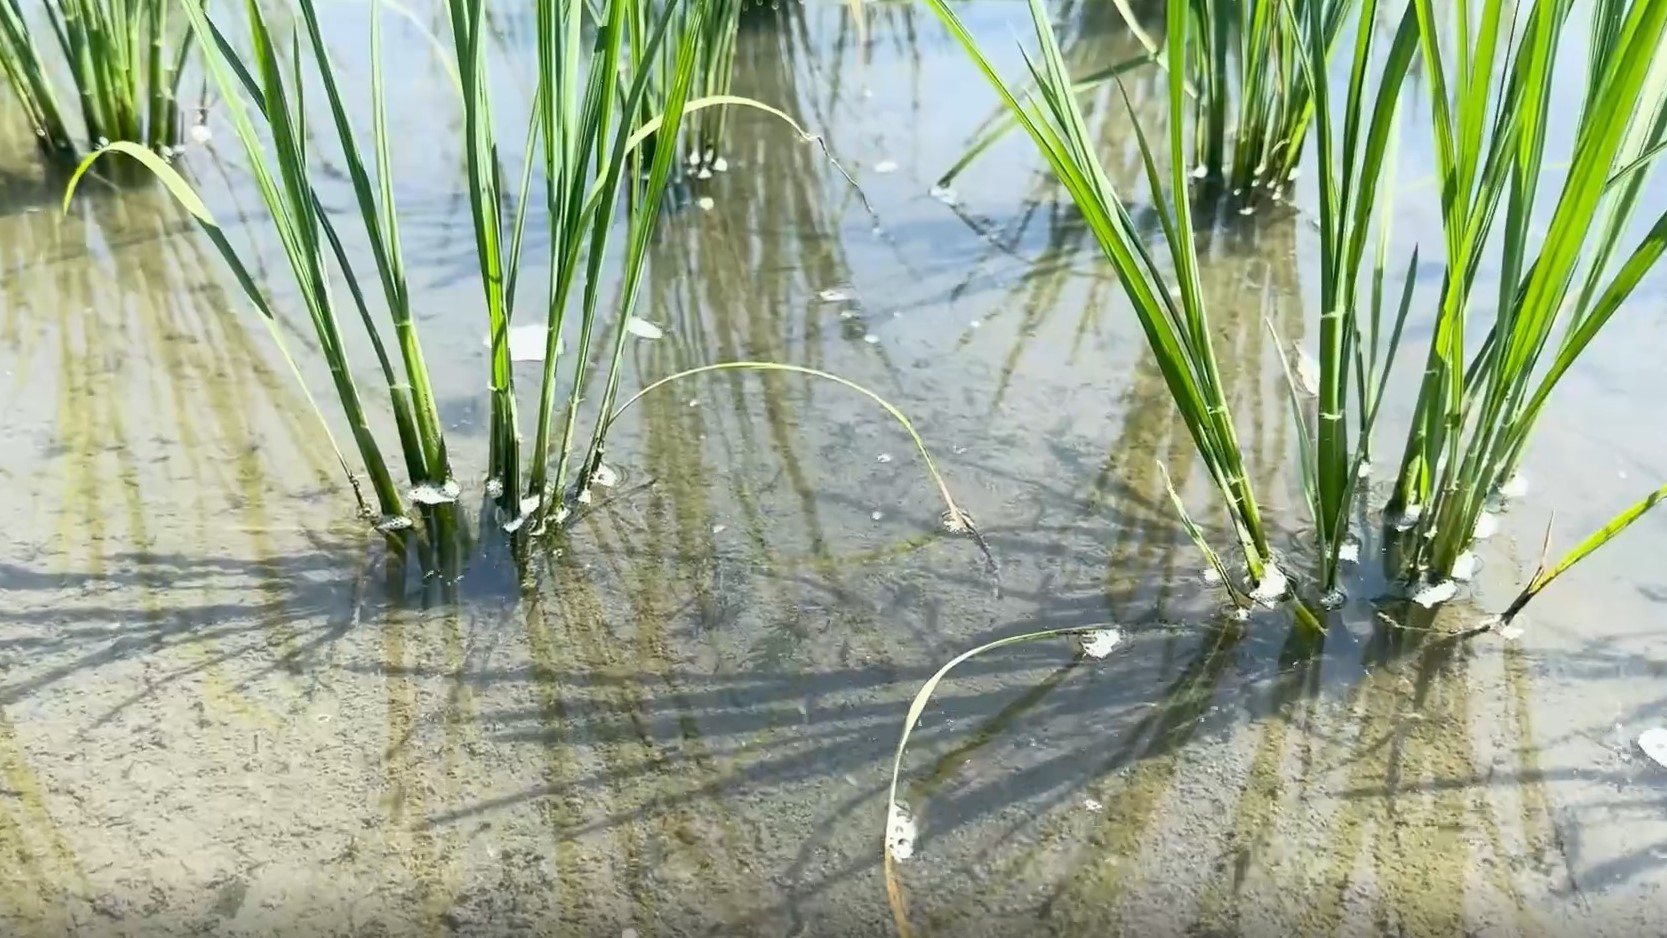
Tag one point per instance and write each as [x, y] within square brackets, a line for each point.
[219, 716]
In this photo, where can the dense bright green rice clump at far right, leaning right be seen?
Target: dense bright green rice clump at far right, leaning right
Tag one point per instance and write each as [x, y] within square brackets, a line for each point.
[1559, 281]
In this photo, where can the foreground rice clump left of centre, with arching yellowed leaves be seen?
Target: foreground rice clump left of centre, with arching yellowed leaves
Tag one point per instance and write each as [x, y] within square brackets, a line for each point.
[589, 131]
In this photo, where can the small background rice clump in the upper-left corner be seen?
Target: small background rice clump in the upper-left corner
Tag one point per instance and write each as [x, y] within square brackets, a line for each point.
[124, 61]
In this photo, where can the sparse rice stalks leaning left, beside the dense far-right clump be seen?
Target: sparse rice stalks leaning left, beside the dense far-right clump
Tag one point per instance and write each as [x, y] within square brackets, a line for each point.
[1176, 319]
